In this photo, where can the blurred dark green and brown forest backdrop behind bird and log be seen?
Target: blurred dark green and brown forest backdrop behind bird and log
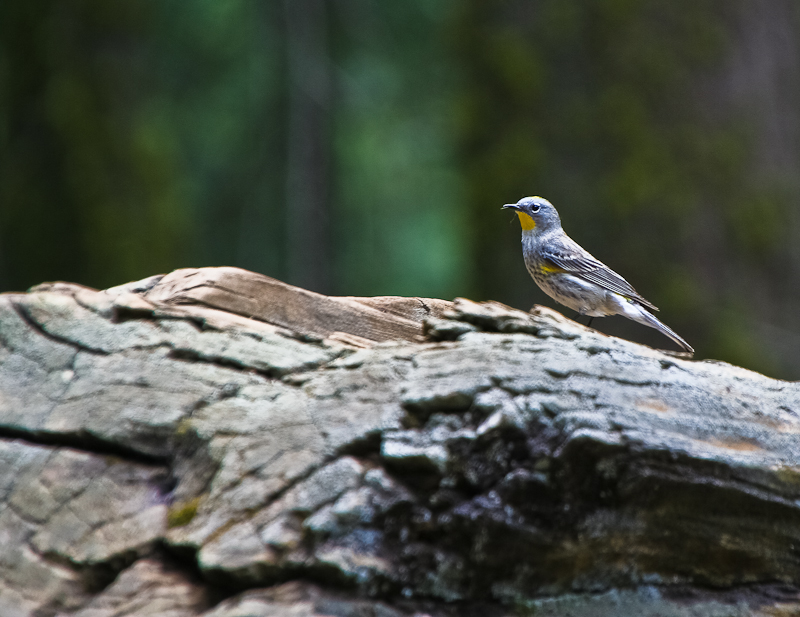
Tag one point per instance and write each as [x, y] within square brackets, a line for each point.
[364, 147]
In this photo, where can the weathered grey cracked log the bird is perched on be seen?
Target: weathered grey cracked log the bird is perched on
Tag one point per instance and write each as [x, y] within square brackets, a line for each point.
[214, 442]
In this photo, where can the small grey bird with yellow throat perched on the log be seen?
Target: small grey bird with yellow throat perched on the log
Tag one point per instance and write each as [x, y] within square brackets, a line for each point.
[570, 275]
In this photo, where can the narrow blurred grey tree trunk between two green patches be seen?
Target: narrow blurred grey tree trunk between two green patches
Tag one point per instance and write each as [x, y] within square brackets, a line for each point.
[307, 158]
